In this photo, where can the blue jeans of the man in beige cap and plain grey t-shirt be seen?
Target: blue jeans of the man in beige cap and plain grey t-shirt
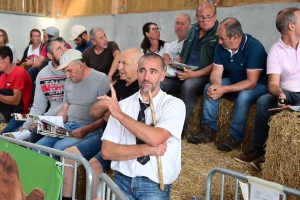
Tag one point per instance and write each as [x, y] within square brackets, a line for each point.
[63, 143]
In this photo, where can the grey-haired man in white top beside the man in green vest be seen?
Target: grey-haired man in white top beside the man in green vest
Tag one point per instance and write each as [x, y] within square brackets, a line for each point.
[181, 26]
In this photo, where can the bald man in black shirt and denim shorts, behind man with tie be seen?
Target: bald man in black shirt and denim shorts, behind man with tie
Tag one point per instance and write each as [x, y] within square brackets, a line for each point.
[125, 87]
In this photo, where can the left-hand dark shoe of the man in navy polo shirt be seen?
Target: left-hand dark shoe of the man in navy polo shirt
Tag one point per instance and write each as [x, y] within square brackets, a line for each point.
[207, 135]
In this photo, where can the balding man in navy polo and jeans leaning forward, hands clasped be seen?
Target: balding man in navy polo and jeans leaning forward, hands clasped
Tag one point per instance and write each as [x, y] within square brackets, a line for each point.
[244, 59]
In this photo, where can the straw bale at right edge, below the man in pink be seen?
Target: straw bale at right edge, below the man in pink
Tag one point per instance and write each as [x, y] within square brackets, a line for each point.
[282, 150]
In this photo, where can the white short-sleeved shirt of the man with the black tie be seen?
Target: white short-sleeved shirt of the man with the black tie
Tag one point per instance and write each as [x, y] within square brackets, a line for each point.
[170, 115]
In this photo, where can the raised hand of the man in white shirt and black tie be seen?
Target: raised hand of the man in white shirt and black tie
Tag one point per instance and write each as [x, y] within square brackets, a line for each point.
[111, 102]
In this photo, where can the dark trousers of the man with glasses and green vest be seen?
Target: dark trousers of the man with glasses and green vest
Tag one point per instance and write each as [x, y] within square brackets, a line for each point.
[188, 90]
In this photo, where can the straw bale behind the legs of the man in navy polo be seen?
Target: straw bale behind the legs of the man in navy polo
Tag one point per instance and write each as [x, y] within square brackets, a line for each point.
[224, 118]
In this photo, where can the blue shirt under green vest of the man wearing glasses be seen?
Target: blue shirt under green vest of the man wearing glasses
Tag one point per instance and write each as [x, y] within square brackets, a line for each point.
[194, 58]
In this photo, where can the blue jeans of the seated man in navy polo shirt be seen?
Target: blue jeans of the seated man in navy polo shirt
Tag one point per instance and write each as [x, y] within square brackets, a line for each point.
[243, 101]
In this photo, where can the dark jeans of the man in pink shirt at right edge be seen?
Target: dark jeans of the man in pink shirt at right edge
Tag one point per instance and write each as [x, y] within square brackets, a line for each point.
[262, 116]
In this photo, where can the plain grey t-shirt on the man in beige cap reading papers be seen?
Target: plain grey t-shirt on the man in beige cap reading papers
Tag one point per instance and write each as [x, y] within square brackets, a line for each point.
[81, 96]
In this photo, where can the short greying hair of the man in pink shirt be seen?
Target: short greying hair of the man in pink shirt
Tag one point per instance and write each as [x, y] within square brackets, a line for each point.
[285, 17]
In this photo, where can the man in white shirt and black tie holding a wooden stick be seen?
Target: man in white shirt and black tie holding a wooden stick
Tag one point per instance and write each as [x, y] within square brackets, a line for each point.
[133, 145]
